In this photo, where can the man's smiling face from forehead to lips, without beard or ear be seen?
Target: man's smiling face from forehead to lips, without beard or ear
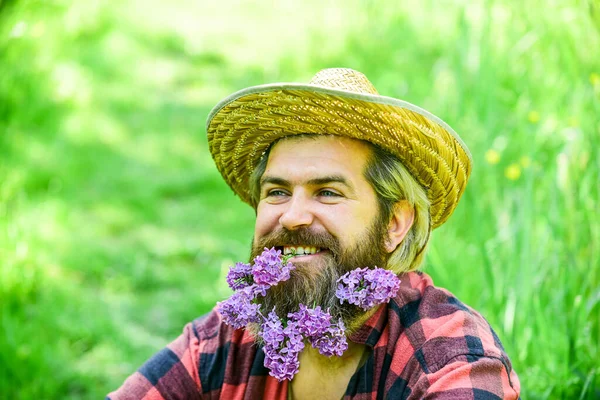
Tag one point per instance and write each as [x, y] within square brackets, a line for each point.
[316, 184]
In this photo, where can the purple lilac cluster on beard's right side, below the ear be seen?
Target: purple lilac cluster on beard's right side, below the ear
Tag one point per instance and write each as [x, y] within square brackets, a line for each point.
[366, 288]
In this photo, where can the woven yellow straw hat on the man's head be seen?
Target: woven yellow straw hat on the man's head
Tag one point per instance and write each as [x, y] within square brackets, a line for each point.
[341, 102]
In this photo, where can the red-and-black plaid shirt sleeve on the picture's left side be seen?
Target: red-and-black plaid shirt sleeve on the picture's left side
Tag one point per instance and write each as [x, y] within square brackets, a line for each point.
[172, 373]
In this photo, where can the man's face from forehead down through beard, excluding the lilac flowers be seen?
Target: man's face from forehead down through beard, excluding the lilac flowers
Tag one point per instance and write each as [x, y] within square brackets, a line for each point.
[316, 203]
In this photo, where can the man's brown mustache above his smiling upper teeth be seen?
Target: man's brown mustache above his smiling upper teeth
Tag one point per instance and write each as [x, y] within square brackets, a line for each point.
[299, 237]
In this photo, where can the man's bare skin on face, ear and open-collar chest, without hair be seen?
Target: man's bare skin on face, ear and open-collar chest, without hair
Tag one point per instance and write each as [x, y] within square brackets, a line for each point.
[319, 183]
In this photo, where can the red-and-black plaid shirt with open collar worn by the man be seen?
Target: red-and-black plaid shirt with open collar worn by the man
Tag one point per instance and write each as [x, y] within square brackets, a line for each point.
[423, 344]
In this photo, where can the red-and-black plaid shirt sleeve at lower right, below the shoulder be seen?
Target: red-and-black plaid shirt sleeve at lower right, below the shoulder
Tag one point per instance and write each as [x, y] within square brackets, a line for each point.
[470, 377]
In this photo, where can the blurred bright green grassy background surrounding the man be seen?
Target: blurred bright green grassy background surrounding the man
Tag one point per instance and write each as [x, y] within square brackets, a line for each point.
[116, 229]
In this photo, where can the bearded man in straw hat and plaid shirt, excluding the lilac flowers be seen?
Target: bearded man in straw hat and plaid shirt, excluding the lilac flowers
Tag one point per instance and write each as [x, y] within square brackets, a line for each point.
[340, 178]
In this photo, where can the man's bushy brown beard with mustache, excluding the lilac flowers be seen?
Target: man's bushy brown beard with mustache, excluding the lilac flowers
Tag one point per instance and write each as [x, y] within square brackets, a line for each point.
[315, 283]
